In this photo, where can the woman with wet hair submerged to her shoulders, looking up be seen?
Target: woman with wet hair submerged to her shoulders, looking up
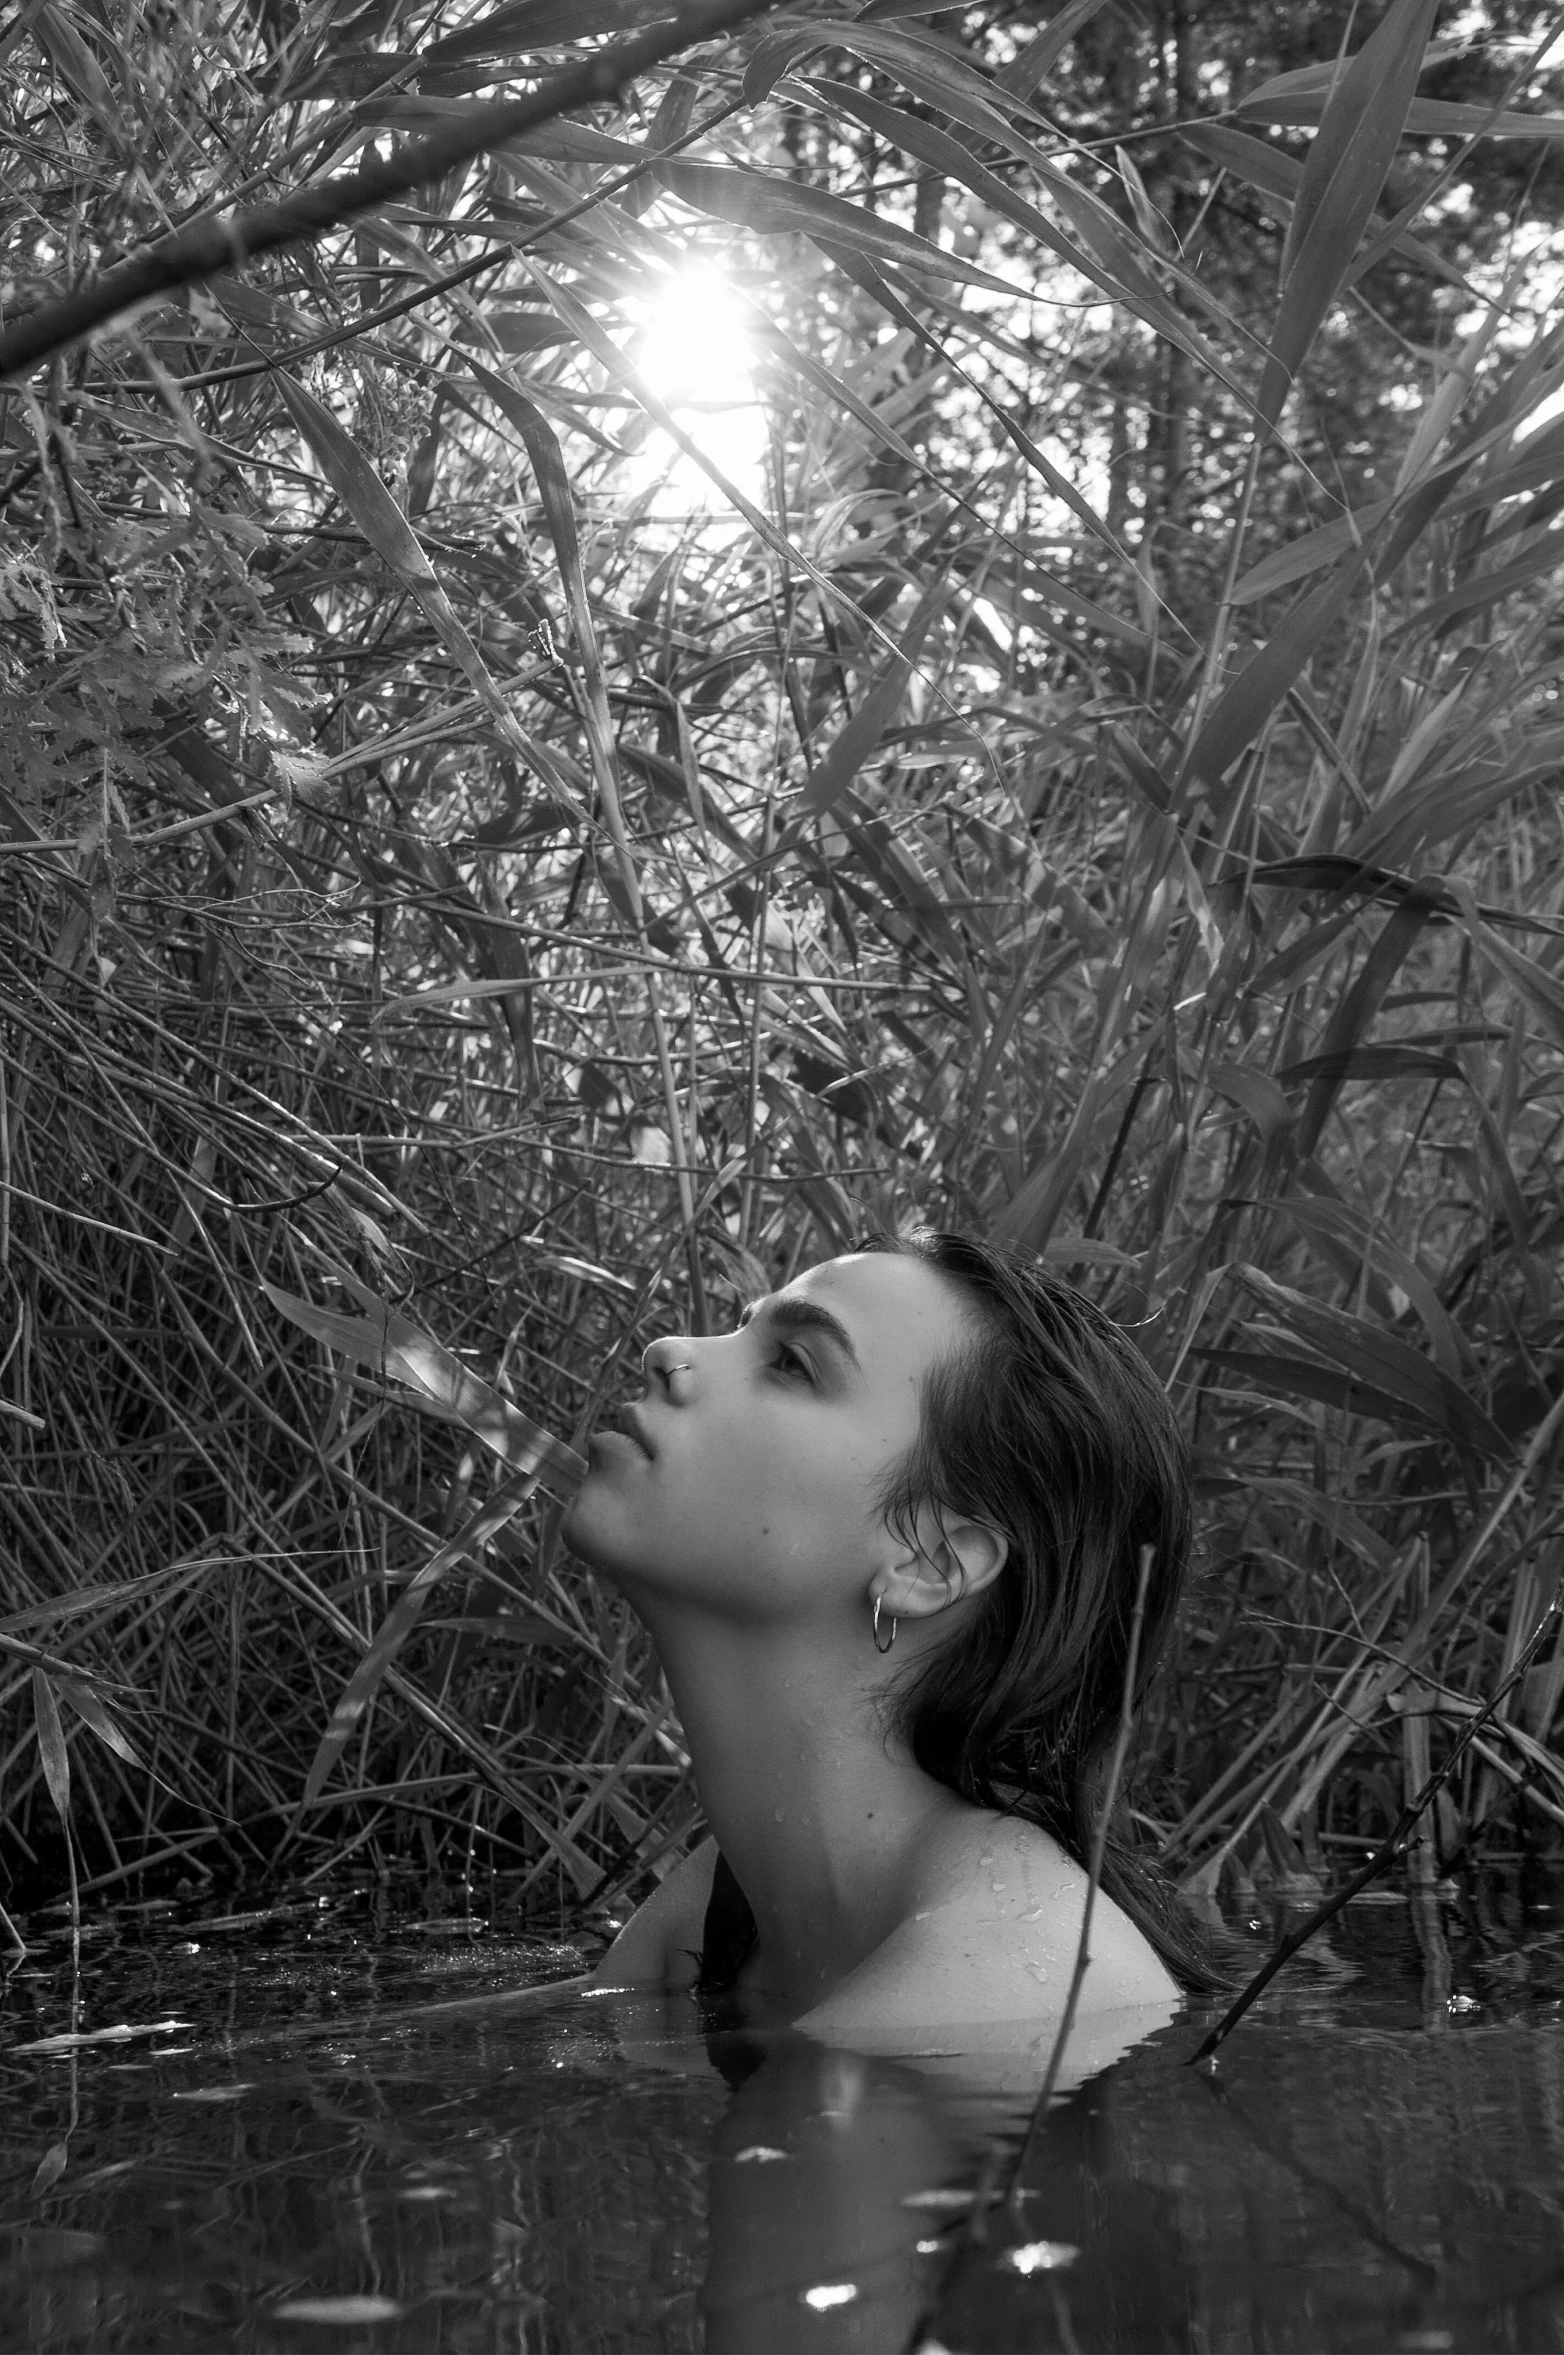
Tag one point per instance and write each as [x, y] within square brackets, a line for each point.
[887, 1541]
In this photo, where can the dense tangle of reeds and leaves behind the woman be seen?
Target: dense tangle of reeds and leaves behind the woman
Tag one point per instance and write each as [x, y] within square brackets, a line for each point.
[769, 658]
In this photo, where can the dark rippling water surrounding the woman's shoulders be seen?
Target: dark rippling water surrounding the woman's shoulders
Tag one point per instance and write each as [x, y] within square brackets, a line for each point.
[305, 2165]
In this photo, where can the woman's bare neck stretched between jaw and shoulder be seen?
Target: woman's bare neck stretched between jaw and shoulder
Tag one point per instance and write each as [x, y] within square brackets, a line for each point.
[821, 1812]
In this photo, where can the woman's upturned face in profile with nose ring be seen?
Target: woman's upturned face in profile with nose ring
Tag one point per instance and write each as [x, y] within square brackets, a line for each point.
[748, 1475]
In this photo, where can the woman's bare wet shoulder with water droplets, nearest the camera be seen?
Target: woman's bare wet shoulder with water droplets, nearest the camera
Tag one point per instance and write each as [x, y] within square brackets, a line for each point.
[993, 1939]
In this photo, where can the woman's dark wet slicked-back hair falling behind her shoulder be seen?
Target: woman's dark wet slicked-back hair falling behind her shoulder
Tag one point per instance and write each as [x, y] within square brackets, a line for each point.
[1054, 1431]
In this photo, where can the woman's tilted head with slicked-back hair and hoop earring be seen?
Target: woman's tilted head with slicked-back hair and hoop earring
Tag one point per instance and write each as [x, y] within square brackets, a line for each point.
[934, 1426]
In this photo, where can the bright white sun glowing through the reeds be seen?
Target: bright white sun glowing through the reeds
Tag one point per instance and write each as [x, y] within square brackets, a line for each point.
[696, 352]
